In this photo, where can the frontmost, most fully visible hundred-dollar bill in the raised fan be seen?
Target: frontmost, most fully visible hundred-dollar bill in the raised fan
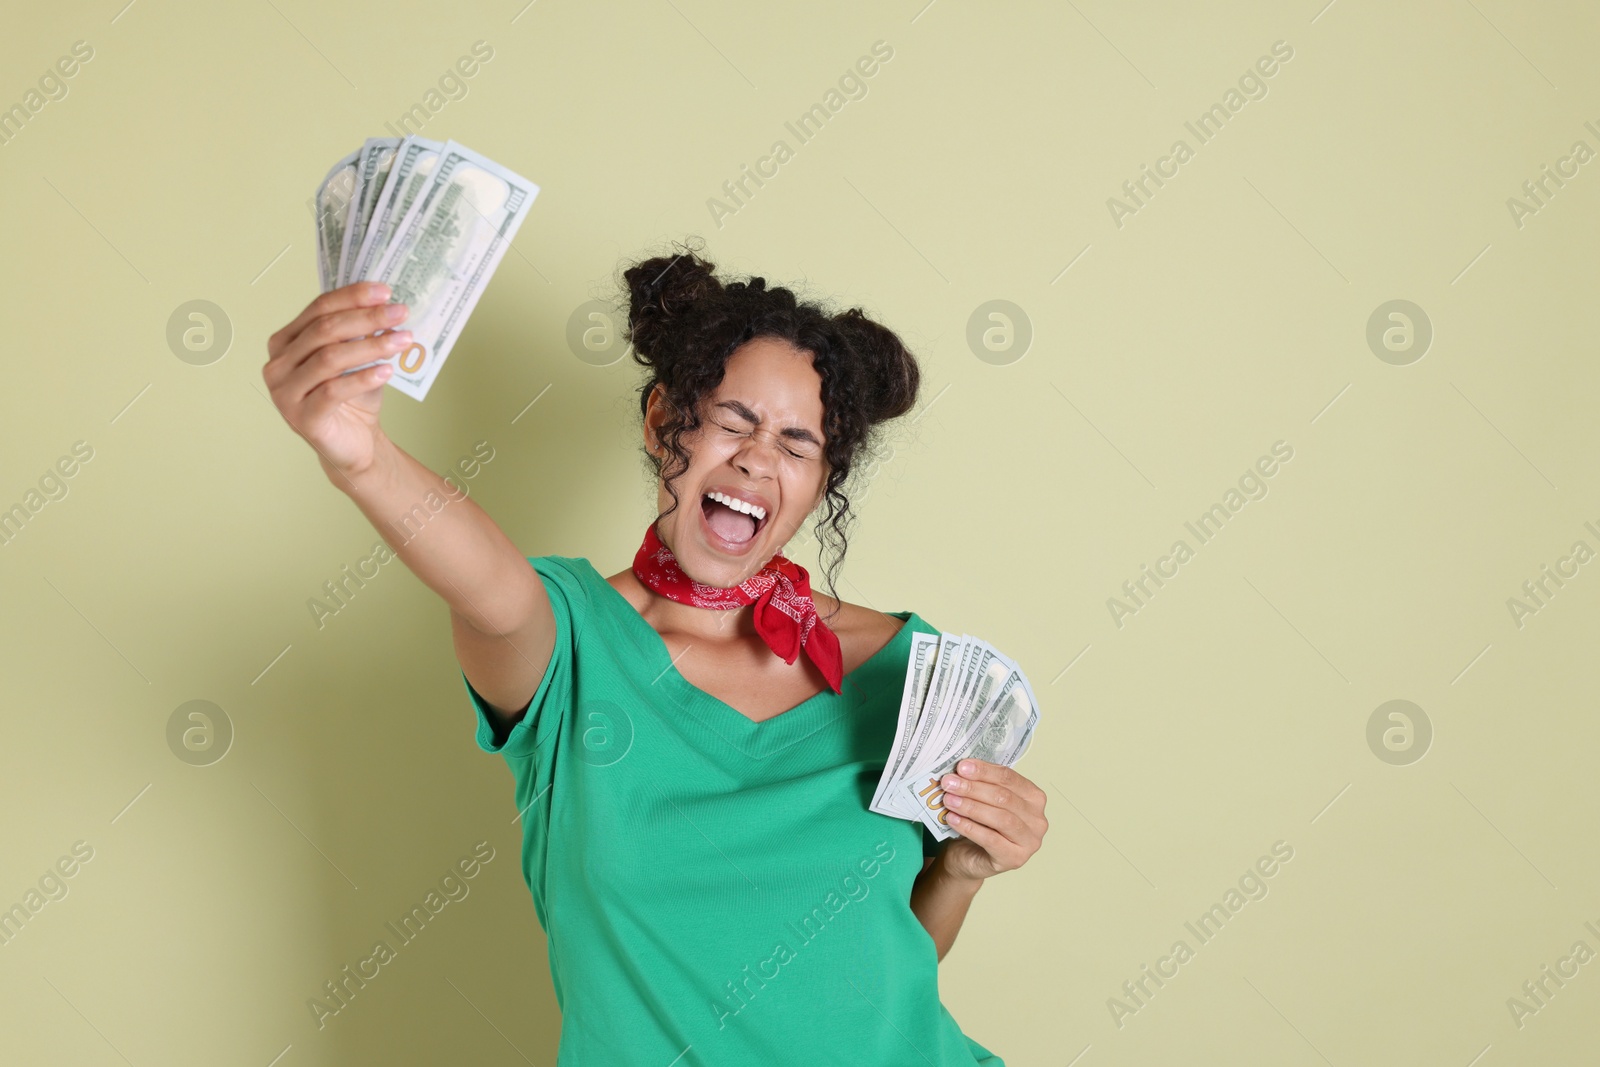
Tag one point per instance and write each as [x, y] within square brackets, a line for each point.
[444, 254]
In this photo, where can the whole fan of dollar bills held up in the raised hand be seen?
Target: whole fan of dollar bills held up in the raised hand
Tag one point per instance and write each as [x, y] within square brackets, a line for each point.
[430, 220]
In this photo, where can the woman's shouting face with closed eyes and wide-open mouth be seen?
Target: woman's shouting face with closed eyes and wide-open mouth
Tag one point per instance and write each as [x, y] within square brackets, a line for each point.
[761, 444]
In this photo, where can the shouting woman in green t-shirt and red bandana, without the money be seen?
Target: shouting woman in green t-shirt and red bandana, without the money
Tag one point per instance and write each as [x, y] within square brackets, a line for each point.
[695, 740]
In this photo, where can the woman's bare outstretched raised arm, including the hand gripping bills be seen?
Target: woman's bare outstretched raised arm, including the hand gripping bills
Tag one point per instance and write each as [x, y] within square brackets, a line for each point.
[500, 613]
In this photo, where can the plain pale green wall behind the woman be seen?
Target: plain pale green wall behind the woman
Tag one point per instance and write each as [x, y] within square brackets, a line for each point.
[1228, 314]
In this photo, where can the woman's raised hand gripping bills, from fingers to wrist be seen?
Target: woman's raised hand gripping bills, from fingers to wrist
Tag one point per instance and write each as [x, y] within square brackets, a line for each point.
[337, 414]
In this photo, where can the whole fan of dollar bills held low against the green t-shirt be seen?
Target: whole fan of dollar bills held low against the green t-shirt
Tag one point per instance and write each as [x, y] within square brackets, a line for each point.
[962, 700]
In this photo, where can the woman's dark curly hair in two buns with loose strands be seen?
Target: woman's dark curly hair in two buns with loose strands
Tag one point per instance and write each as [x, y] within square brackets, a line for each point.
[686, 324]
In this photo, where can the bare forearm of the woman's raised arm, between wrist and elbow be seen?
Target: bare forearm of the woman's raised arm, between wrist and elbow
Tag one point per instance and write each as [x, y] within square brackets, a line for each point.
[442, 537]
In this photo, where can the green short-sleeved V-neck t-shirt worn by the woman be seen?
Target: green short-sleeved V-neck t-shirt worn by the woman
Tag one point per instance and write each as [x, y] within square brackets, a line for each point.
[714, 890]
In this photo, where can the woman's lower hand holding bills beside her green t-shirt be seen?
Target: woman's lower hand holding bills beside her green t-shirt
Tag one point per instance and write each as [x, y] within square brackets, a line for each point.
[999, 815]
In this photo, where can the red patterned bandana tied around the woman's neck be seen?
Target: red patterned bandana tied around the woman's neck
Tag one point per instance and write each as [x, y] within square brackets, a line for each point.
[782, 593]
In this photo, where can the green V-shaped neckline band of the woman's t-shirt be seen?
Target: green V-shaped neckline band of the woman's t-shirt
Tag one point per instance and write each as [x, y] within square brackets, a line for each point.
[742, 732]
